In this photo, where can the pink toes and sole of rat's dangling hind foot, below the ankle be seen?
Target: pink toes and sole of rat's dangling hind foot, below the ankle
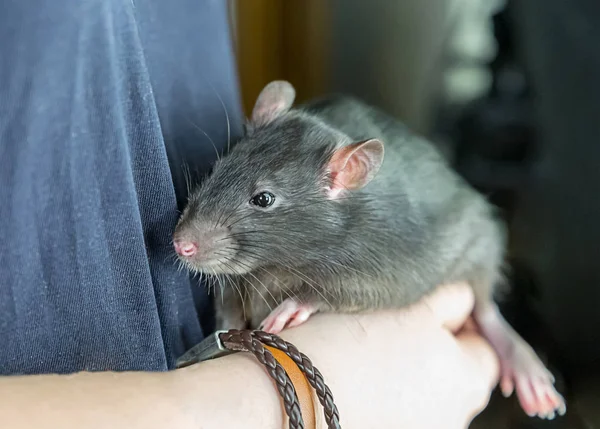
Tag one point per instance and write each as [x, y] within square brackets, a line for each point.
[524, 372]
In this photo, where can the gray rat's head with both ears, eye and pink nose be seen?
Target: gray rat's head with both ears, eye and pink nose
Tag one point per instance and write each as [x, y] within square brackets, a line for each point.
[278, 198]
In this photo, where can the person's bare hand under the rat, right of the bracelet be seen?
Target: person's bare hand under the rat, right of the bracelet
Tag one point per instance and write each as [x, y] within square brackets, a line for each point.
[421, 367]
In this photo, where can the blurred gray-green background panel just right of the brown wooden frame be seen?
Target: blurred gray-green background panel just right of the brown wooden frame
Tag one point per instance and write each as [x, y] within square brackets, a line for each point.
[389, 53]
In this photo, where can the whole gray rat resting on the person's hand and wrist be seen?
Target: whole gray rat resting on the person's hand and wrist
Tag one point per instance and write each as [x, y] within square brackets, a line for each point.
[306, 214]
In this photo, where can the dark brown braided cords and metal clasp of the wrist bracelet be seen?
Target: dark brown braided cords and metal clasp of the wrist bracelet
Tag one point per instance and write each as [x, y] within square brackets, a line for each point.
[225, 342]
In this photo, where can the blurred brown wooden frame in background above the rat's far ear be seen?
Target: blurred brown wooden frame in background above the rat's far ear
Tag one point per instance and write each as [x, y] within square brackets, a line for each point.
[281, 39]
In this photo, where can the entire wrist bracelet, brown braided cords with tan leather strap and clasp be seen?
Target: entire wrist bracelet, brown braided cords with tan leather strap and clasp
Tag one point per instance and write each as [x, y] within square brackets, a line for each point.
[265, 347]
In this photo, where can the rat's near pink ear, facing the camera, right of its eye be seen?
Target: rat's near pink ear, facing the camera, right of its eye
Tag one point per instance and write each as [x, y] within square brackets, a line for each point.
[353, 166]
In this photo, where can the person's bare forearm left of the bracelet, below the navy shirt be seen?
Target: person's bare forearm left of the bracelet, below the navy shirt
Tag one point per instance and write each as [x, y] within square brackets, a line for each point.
[230, 392]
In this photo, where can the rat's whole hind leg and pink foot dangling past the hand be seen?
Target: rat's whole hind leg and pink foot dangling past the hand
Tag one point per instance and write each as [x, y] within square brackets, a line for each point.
[522, 370]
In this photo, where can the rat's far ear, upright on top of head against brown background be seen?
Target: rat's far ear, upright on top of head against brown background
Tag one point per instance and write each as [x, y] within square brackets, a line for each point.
[275, 99]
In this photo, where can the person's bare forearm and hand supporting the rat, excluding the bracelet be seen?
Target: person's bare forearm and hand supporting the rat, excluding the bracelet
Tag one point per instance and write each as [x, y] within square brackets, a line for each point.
[388, 369]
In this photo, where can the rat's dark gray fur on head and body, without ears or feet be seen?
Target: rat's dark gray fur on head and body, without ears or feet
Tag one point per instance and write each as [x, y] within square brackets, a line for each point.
[416, 225]
